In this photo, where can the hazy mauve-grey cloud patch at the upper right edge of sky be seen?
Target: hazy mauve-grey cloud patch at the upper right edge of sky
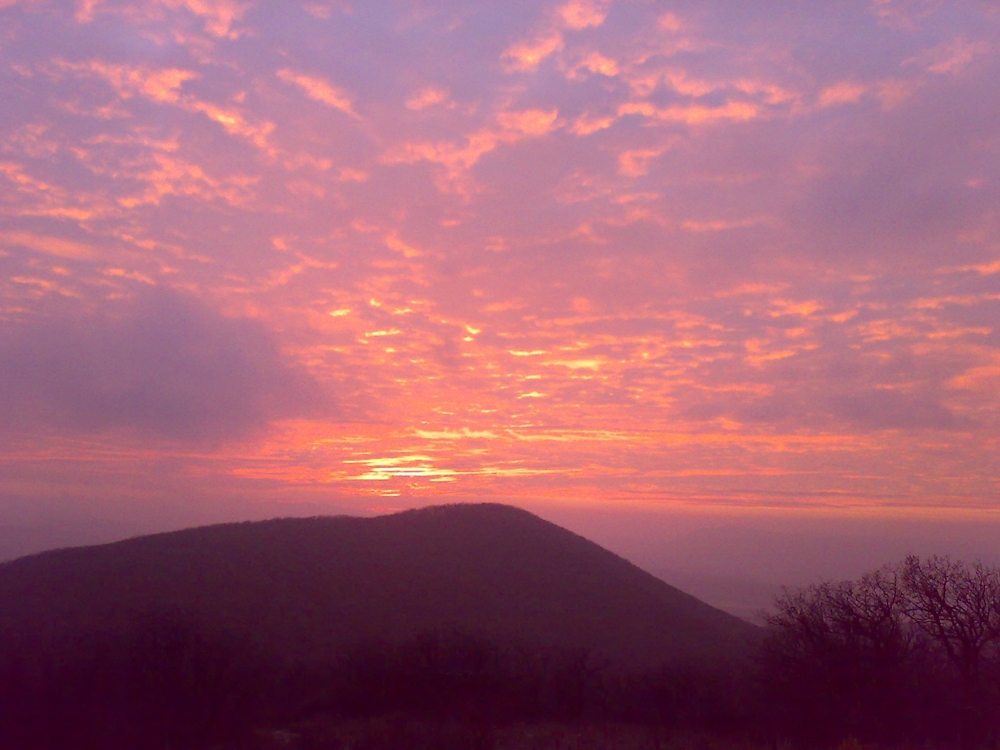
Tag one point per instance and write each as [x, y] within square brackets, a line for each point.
[907, 183]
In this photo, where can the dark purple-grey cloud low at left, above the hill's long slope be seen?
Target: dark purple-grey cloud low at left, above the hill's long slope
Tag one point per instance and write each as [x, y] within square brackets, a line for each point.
[162, 366]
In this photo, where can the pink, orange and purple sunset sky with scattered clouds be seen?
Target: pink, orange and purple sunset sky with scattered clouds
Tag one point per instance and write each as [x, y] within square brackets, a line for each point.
[718, 258]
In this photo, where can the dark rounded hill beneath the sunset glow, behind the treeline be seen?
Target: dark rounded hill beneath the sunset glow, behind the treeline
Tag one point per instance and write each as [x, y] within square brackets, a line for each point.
[308, 588]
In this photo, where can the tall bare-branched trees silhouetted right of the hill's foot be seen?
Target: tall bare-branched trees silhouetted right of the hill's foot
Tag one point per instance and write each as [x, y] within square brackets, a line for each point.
[907, 653]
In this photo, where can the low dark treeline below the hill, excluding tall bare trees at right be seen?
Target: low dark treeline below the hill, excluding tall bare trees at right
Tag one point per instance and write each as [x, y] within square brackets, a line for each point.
[168, 683]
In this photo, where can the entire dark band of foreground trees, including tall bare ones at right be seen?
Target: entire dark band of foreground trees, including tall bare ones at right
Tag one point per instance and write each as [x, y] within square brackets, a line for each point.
[909, 654]
